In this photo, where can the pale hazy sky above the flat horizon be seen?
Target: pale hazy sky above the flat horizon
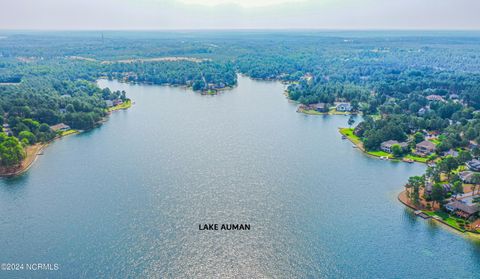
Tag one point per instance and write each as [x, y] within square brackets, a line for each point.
[240, 14]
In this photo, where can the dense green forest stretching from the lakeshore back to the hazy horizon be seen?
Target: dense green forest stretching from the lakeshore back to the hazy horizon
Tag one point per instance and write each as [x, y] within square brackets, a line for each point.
[48, 78]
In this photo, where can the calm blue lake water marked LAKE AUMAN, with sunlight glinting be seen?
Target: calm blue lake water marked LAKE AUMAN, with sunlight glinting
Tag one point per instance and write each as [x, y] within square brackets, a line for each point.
[126, 199]
